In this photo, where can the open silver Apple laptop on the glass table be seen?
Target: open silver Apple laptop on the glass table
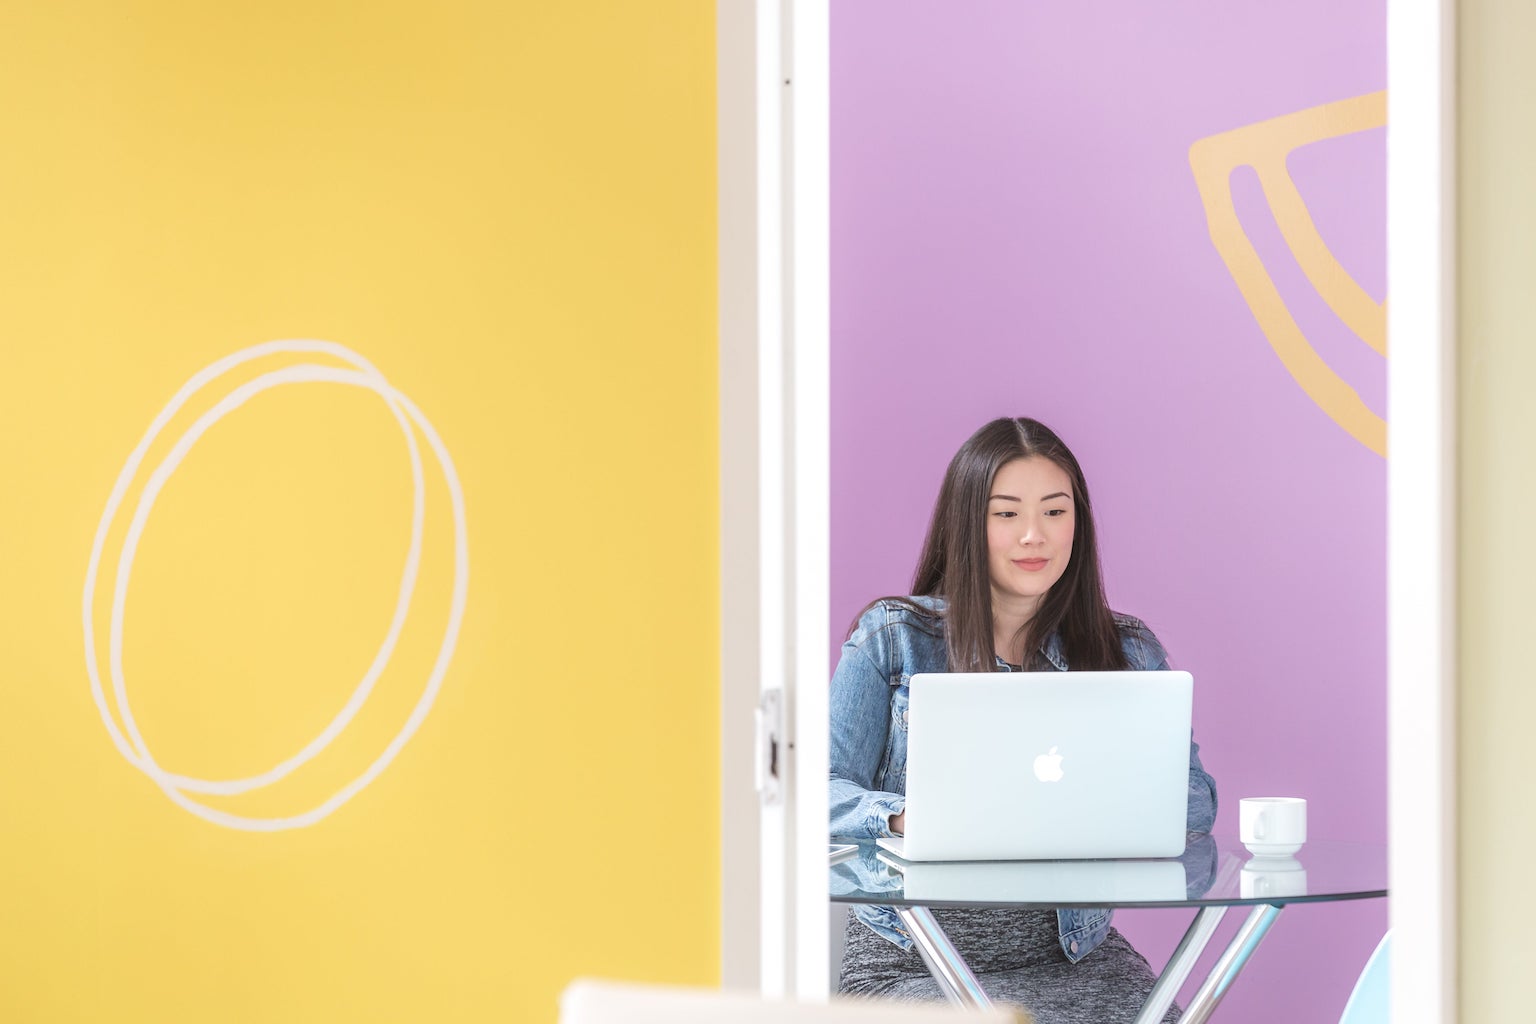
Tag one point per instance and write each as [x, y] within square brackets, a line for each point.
[1047, 767]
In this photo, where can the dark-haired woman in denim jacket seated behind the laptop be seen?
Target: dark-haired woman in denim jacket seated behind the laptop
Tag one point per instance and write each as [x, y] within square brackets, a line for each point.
[1008, 581]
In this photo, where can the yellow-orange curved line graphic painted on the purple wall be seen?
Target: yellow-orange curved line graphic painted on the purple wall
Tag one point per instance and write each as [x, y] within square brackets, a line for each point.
[1265, 148]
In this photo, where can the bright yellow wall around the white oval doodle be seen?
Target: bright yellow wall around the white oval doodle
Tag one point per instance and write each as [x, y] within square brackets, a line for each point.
[509, 210]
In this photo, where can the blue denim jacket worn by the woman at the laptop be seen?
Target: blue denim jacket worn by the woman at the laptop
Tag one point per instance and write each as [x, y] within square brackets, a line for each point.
[869, 741]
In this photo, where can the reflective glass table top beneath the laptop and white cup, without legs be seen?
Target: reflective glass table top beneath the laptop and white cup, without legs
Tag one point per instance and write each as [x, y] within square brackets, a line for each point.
[1211, 873]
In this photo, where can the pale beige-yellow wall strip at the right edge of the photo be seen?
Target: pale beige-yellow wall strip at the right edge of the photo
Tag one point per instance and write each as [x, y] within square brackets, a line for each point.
[1498, 503]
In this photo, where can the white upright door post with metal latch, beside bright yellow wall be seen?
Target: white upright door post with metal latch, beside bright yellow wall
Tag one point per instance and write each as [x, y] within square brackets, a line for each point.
[775, 483]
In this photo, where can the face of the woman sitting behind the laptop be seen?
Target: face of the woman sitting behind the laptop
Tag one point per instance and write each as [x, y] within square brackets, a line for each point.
[1030, 524]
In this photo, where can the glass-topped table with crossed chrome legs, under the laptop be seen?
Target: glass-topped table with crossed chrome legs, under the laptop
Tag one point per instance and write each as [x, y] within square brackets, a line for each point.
[1211, 876]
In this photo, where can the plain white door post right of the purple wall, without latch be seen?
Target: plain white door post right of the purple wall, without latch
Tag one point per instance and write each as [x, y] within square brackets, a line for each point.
[1422, 506]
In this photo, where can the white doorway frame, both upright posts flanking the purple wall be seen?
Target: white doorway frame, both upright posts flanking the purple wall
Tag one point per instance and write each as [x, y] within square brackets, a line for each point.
[775, 300]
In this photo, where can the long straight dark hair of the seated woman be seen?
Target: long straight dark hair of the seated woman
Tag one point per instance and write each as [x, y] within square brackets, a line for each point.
[955, 560]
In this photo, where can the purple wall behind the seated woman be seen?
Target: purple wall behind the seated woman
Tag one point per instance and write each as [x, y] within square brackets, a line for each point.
[1018, 231]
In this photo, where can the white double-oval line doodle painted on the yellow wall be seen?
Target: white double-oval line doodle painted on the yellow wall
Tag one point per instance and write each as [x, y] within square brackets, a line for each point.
[406, 414]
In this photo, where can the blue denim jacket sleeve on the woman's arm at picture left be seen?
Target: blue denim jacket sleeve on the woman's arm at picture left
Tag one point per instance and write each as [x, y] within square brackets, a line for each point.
[861, 705]
